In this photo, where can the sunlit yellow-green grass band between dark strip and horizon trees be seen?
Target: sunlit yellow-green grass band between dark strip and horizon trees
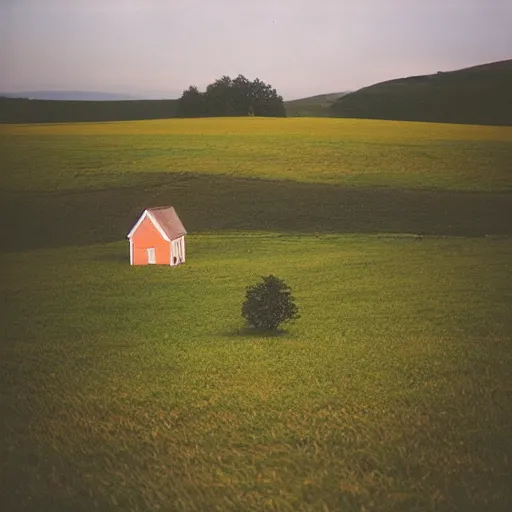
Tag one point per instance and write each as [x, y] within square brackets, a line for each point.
[334, 151]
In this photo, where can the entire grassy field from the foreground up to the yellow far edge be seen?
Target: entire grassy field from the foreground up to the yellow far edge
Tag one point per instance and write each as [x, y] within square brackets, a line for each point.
[138, 388]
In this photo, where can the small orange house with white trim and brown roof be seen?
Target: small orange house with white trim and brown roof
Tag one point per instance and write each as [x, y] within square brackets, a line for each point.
[158, 237]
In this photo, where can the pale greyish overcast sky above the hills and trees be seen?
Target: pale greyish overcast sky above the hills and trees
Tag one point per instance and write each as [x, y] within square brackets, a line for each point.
[158, 48]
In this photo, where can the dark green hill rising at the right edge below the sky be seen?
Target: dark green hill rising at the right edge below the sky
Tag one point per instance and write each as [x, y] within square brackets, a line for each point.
[476, 95]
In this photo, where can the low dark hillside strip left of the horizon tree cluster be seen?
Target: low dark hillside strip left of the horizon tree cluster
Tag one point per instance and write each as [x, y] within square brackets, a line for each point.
[46, 111]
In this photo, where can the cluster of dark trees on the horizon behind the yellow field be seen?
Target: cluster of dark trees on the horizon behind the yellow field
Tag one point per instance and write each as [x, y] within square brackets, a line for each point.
[227, 97]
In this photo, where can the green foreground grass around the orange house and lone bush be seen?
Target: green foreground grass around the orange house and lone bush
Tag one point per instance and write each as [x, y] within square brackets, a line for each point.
[138, 389]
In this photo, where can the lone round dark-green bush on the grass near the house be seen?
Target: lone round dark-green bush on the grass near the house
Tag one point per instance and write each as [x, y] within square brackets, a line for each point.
[268, 304]
